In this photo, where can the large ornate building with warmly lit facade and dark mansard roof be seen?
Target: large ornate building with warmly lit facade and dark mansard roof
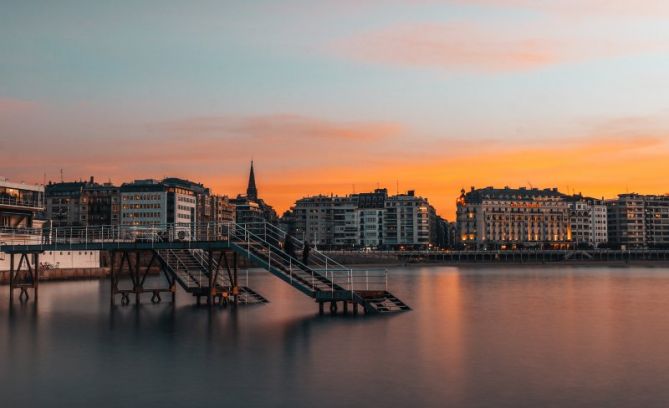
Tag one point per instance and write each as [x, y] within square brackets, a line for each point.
[506, 218]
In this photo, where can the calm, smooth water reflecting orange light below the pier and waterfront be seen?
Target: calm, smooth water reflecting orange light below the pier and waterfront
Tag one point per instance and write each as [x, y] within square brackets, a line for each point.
[517, 337]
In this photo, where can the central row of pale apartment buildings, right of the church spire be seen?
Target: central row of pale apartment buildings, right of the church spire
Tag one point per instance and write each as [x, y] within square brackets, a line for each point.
[371, 220]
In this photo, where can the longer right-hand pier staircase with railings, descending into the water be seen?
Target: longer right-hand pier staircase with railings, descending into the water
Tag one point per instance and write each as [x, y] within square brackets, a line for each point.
[323, 278]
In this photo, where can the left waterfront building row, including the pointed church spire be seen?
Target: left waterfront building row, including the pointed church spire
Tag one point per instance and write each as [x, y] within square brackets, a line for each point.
[150, 202]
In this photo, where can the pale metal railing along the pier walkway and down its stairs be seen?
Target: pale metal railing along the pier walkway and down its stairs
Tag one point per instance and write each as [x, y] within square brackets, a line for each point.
[262, 238]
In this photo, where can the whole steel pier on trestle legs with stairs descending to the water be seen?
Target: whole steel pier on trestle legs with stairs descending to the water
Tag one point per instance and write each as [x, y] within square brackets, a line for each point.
[203, 260]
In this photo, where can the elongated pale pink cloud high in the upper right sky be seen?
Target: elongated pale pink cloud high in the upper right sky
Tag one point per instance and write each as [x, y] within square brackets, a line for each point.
[467, 46]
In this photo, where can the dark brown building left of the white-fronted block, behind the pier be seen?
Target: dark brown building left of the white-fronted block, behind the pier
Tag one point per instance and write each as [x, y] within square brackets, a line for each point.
[82, 203]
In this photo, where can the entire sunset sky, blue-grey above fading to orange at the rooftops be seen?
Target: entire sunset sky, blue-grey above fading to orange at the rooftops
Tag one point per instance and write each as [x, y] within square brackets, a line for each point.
[341, 96]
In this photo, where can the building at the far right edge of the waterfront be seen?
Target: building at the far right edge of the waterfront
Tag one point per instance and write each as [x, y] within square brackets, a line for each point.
[638, 221]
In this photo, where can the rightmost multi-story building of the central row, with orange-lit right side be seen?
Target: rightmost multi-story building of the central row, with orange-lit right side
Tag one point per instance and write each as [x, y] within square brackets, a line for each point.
[409, 222]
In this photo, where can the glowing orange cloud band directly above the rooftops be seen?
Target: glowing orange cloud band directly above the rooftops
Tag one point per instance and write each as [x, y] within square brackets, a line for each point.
[298, 155]
